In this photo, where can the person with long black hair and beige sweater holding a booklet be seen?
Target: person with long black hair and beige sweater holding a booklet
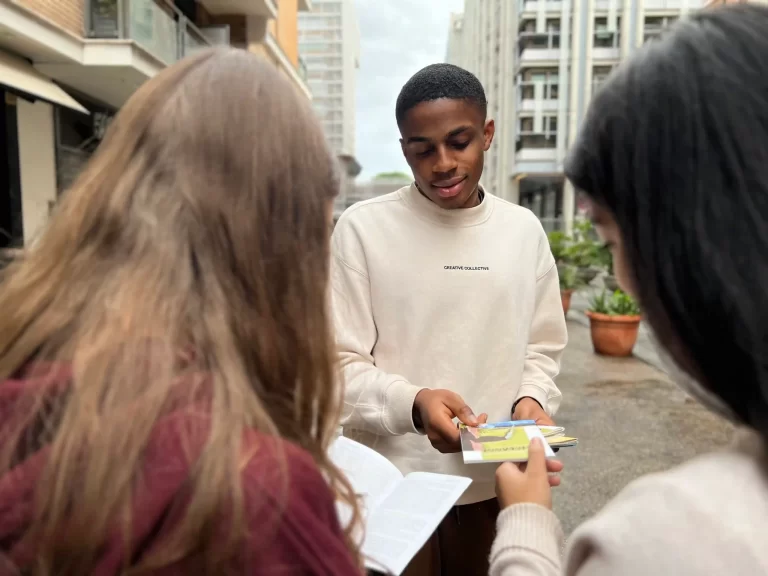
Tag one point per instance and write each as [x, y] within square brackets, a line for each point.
[672, 159]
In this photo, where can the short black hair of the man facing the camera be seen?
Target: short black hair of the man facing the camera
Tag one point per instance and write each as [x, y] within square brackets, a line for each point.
[440, 81]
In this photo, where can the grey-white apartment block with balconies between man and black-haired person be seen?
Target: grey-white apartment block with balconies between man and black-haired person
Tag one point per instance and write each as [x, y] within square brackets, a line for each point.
[541, 61]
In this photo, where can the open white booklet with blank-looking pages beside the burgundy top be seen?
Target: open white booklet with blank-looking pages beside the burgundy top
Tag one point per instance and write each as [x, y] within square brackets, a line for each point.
[399, 512]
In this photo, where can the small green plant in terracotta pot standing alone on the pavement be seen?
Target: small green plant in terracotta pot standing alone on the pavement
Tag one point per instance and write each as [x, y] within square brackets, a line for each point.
[614, 321]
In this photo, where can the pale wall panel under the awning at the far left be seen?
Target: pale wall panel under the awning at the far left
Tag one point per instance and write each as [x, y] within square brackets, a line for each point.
[37, 165]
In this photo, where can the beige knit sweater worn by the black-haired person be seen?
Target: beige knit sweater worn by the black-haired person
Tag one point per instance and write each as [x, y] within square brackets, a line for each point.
[708, 517]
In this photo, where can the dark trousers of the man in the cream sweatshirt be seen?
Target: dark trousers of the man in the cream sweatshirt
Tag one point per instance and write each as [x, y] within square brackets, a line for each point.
[461, 545]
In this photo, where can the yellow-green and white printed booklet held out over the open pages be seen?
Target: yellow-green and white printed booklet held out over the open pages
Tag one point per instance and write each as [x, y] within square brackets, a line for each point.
[500, 442]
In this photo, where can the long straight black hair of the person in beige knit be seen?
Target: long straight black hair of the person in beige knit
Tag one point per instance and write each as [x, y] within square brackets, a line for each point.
[675, 146]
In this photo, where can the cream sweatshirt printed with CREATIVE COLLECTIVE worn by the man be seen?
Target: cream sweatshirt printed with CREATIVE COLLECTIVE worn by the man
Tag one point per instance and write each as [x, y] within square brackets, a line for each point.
[465, 300]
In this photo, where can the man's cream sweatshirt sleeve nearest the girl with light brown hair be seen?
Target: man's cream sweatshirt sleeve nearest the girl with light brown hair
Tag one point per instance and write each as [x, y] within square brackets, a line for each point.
[374, 400]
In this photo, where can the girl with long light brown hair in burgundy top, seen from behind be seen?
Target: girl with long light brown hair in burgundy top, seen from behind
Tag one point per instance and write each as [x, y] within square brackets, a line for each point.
[168, 384]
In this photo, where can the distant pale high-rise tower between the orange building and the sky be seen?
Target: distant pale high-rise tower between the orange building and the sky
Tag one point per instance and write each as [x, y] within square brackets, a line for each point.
[329, 43]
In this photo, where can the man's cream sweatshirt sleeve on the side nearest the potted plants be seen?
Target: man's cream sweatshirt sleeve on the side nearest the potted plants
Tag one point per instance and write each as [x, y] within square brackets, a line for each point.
[547, 338]
